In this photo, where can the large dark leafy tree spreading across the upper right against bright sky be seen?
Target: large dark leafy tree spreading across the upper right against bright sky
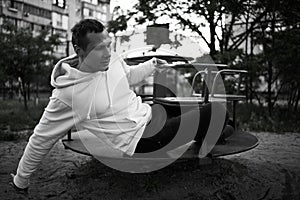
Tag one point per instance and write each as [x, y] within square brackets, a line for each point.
[271, 24]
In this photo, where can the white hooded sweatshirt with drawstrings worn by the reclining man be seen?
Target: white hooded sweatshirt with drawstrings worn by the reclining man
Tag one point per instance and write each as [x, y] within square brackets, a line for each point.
[100, 102]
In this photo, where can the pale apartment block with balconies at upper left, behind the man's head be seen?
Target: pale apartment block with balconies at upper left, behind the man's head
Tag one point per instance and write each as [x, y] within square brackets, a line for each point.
[59, 15]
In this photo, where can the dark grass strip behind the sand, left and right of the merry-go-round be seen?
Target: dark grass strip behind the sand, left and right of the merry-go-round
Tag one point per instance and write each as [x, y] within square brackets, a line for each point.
[15, 119]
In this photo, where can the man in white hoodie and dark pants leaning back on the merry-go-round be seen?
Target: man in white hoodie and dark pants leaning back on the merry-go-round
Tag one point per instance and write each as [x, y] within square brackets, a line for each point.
[92, 92]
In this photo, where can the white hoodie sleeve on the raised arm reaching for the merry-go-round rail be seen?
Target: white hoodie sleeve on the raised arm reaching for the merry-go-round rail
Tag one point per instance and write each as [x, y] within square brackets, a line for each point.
[137, 73]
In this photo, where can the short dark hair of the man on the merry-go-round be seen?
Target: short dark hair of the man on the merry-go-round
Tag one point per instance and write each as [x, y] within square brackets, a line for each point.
[83, 27]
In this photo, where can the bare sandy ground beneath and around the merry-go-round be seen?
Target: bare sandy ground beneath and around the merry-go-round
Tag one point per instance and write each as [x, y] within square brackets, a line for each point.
[270, 171]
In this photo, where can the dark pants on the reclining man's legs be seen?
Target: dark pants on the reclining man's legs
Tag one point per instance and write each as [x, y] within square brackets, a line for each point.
[191, 125]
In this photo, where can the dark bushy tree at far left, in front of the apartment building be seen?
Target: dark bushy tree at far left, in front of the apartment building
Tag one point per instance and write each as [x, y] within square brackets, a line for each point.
[24, 55]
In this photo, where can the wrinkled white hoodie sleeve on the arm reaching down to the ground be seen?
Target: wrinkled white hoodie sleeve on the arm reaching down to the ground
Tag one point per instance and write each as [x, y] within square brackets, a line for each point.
[56, 120]
